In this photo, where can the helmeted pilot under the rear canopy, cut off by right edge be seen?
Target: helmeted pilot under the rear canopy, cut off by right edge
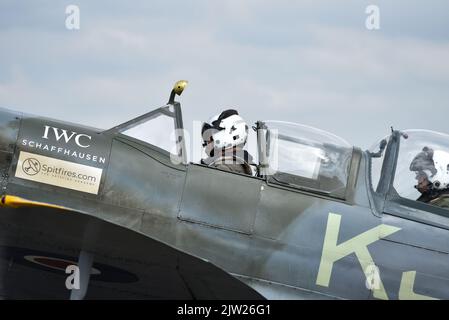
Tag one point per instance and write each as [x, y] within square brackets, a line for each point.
[432, 173]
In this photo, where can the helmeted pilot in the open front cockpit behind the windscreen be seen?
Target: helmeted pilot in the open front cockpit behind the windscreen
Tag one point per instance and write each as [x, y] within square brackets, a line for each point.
[224, 137]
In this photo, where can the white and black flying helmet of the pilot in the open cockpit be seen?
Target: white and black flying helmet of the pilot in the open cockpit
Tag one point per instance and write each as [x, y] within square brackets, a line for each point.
[227, 130]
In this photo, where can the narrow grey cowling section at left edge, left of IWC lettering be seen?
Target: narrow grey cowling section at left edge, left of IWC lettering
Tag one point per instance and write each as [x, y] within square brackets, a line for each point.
[9, 131]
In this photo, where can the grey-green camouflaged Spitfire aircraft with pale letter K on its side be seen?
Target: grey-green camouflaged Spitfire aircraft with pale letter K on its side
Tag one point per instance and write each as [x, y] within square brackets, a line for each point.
[122, 214]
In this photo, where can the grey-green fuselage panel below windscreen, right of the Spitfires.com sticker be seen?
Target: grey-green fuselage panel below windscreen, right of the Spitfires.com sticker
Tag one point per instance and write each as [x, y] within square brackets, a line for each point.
[141, 178]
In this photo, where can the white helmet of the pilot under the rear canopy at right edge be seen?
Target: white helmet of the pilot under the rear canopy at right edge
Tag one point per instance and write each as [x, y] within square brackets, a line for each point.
[434, 165]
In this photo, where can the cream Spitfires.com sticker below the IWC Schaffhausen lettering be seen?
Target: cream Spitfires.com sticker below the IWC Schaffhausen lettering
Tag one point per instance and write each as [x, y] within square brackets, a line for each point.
[59, 173]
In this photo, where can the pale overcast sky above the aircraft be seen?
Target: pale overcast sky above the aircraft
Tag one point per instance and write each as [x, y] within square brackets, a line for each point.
[310, 62]
